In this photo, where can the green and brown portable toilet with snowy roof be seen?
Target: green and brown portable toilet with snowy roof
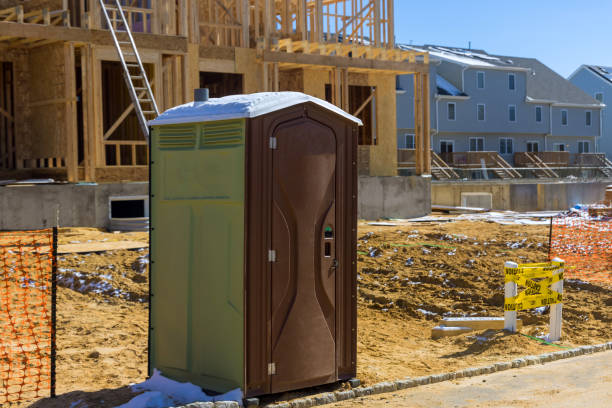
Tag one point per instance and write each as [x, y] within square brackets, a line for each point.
[253, 243]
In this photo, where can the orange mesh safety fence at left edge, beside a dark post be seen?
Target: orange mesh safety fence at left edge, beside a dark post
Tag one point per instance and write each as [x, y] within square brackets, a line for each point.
[27, 315]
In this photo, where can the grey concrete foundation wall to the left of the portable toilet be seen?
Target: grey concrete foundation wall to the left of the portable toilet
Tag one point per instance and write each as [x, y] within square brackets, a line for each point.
[66, 205]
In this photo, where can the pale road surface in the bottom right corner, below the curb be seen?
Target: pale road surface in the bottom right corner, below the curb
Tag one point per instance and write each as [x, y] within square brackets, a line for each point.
[584, 381]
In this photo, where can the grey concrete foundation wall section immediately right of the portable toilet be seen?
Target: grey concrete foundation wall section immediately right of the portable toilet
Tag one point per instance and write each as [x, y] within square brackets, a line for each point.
[394, 197]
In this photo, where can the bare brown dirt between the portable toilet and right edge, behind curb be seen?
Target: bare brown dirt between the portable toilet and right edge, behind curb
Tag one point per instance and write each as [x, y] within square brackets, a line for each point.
[411, 276]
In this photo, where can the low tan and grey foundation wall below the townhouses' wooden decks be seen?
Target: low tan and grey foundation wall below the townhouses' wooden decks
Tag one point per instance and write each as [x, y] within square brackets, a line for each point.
[523, 195]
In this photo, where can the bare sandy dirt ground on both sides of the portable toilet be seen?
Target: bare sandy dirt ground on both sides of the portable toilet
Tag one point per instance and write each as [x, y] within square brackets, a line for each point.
[410, 276]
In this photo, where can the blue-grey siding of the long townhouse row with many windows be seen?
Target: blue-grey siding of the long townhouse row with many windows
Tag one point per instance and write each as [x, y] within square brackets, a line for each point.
[496, 96]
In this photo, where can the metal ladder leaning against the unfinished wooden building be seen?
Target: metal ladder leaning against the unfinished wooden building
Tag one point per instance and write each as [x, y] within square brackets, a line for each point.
[133, 72]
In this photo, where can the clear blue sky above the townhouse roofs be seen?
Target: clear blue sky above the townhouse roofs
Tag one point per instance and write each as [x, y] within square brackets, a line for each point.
[562, 34]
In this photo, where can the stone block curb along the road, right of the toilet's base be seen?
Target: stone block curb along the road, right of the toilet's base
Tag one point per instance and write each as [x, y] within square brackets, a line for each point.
[390, 386]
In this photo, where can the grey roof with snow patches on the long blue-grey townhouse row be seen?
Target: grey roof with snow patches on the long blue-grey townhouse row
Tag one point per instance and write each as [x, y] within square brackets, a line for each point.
[543, 84]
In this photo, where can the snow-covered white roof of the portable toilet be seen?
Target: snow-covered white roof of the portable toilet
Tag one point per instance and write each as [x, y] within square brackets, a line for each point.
[241, 106]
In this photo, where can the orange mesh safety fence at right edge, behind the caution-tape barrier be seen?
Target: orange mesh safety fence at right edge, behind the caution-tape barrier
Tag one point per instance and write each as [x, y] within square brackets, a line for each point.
[585, 244]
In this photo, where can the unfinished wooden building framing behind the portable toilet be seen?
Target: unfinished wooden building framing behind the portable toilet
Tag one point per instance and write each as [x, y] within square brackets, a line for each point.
[65, 111]
